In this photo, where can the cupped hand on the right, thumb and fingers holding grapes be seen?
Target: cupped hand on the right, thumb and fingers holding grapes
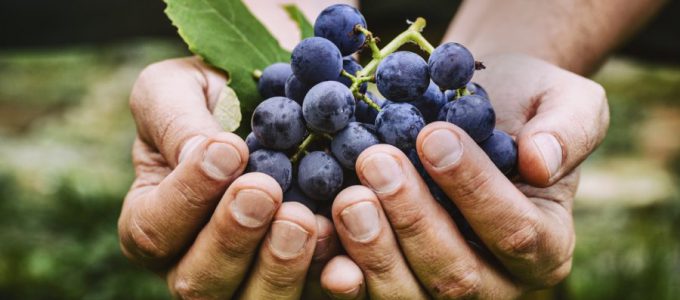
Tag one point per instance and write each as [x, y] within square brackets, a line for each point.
[407, 245]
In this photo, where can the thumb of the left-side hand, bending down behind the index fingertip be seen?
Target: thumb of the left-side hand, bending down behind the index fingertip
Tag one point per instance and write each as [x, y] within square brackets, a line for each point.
[170, 101]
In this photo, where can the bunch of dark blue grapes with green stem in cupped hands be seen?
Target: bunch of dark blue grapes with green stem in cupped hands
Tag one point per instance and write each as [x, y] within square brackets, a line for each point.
[317, 115]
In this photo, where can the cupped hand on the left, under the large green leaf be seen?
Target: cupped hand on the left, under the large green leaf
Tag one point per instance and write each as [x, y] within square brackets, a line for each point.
[191, 216]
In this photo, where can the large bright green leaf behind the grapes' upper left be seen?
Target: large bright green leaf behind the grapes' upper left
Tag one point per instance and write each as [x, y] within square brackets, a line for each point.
[227, 35]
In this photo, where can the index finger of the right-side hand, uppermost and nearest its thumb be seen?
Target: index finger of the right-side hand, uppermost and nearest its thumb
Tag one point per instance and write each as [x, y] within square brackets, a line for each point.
[535, 244]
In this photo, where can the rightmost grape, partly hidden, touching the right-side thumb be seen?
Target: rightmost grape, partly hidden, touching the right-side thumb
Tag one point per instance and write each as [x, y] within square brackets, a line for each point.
[502, 150]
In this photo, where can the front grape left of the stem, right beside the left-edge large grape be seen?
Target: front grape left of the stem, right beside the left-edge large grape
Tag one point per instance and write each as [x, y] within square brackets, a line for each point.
[328, 107]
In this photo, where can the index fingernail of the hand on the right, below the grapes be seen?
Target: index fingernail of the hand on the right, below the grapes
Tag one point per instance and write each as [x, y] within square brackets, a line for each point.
[442, 148]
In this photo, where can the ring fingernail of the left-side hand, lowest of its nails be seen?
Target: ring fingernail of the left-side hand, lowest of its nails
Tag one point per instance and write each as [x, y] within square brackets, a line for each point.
[287, 239]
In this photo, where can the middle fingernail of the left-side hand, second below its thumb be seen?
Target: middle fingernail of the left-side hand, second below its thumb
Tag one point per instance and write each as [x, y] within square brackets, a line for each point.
[252, 208]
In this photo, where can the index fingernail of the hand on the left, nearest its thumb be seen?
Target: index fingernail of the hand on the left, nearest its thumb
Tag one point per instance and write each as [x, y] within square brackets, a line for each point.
[221, 160]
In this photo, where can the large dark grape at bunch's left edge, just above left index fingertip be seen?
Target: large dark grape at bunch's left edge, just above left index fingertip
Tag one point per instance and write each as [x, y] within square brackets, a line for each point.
[278, 123]
